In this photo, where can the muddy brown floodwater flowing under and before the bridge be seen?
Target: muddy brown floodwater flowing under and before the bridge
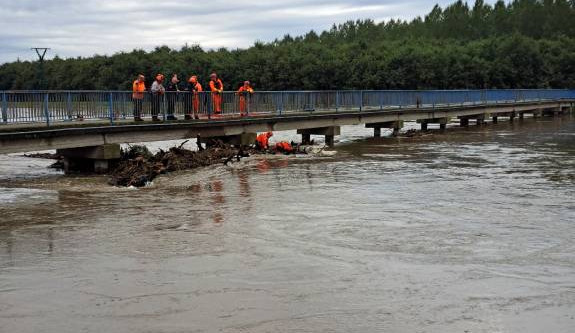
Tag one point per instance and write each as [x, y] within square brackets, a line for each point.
[471, 230]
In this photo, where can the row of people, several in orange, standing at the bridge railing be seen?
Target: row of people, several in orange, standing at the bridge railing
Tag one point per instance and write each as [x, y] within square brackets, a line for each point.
[191, 101]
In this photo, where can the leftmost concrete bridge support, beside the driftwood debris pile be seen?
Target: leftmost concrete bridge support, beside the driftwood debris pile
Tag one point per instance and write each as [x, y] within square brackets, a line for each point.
[98, 159]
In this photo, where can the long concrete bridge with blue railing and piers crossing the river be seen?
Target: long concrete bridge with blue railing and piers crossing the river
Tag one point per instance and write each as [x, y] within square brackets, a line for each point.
[96, 138]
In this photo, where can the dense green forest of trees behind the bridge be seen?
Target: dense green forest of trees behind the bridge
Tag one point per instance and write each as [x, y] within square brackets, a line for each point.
[518, 44]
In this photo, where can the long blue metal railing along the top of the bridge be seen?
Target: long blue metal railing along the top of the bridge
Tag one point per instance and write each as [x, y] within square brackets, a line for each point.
[50, 107]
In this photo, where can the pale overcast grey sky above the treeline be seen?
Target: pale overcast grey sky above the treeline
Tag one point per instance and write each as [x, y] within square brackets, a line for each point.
[83, 28]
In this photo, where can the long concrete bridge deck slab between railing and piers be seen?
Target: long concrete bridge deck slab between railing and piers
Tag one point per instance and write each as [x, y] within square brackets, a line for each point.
[27, 137]
